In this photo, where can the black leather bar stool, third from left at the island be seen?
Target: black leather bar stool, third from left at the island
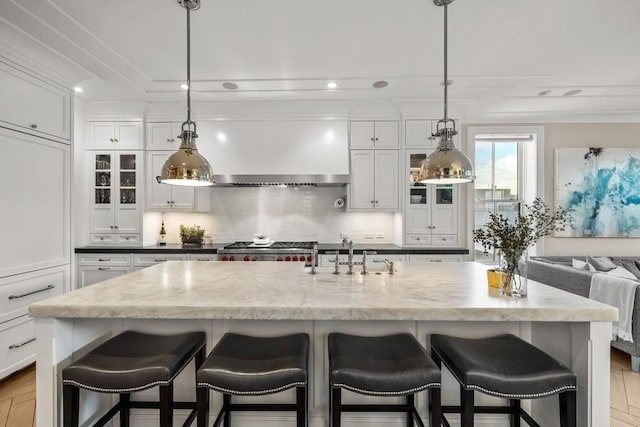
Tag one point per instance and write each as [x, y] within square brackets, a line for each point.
[392, 365]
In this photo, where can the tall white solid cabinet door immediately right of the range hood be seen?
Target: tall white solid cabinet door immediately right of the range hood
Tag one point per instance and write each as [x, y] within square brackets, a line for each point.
[361, 188]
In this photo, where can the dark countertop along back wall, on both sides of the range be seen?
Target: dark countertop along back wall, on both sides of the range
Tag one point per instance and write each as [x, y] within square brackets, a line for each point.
[323, 248]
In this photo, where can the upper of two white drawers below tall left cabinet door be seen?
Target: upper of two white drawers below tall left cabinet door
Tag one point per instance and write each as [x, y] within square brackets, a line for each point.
[17, 292]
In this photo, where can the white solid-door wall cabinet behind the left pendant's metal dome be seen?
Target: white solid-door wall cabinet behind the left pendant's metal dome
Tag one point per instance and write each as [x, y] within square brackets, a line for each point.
[163, 196]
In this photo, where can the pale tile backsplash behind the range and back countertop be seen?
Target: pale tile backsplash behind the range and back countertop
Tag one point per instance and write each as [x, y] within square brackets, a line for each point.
[305, 213]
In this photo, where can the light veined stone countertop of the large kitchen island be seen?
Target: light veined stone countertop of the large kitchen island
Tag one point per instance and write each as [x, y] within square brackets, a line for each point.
[273, 291]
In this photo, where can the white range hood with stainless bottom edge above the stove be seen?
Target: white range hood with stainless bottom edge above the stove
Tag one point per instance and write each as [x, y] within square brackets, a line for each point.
[250, 153]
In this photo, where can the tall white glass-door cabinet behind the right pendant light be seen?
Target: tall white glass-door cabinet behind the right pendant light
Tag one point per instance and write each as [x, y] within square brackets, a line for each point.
[431, 213]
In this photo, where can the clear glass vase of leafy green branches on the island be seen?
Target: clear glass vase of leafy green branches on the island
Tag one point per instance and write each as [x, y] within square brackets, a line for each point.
[512, 238]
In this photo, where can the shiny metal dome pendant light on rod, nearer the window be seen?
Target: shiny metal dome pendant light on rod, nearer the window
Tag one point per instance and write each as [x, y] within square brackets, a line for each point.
[447, 164]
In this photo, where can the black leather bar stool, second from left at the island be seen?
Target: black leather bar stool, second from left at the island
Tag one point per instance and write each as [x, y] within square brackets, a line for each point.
[243, 365]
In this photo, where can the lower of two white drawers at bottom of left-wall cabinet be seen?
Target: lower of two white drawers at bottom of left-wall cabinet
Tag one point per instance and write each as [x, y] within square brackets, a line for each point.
[17, 348]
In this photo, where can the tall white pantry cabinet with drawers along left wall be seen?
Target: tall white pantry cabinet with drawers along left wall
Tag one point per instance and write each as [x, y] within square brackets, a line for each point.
[35, 192]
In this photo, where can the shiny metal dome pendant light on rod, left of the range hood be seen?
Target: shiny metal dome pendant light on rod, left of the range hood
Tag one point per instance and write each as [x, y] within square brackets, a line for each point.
[186, 166]
